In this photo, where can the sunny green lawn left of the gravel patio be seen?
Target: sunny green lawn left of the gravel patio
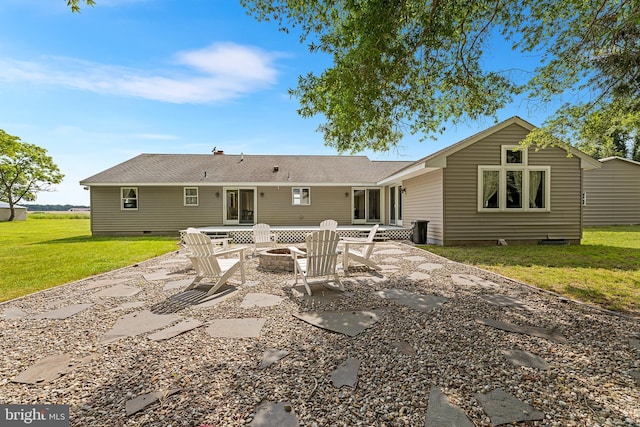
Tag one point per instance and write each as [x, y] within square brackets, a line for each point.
[48, 250]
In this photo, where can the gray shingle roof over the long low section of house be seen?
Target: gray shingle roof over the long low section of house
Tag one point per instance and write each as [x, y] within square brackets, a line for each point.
[259, 169]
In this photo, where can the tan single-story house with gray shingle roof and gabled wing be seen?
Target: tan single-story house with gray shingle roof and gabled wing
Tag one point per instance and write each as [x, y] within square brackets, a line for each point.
[477, 191]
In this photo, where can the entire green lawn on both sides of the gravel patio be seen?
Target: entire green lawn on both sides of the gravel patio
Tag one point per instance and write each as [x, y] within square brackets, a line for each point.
[49, 250]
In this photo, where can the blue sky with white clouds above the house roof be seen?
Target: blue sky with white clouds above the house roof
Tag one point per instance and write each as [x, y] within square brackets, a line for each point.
[162, 76]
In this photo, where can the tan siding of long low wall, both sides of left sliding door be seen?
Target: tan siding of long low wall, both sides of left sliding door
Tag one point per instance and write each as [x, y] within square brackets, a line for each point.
[161, 210]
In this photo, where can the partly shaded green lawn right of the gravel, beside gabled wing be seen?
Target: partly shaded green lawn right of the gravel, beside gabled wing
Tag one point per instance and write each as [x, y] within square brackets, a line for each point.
[604, 270]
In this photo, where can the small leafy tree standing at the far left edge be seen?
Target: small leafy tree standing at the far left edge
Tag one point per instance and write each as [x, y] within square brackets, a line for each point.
[25, 169]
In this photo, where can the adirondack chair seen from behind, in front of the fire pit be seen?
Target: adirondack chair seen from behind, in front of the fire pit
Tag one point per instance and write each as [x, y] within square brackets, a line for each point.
[319, 261]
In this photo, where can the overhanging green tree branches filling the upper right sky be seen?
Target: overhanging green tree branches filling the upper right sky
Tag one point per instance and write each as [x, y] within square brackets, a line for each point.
[411, 66]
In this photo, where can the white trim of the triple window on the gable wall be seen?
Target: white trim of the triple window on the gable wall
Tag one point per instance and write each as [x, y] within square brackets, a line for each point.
[502, 187]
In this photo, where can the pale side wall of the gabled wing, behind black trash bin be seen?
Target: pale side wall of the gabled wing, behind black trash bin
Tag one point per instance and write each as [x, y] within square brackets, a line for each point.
[423, 200]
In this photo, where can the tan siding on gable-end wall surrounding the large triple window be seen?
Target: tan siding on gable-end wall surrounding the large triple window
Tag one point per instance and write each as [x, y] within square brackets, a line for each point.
[464, 224]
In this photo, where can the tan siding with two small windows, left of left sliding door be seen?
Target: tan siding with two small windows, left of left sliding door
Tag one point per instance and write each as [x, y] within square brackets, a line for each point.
[160, 211]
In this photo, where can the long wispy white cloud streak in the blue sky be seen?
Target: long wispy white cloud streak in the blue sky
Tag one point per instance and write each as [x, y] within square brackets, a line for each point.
[217, 73]
